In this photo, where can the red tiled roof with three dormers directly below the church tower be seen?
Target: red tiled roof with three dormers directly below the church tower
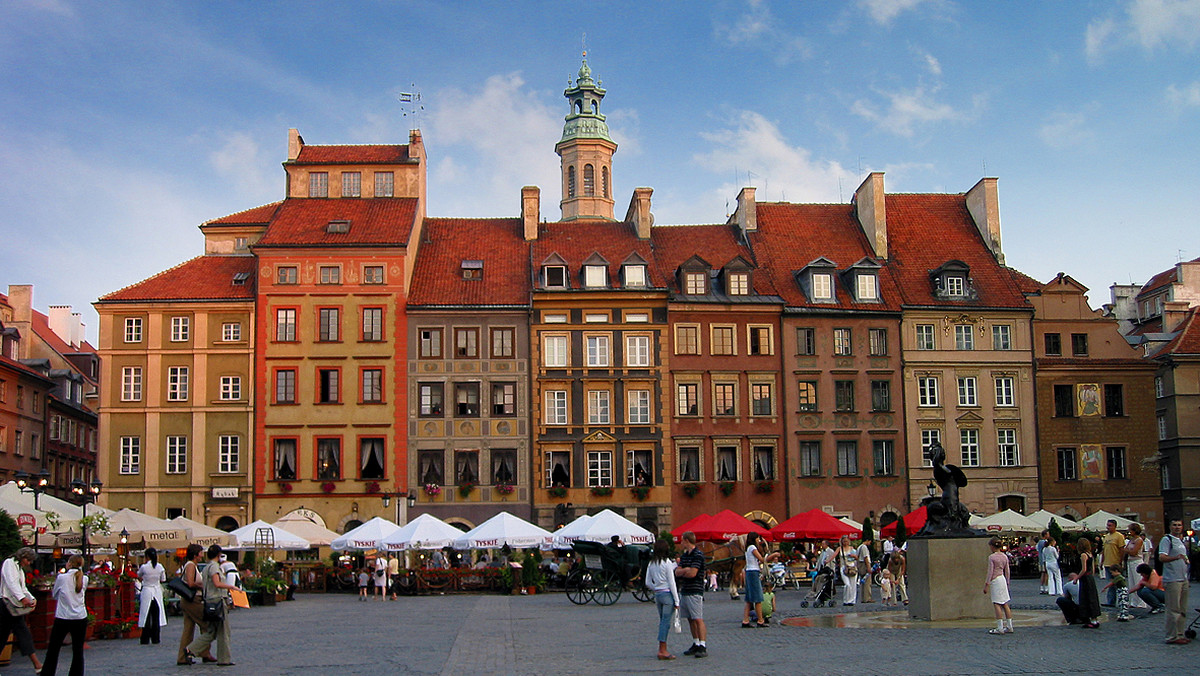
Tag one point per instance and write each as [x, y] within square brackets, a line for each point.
[578, 241]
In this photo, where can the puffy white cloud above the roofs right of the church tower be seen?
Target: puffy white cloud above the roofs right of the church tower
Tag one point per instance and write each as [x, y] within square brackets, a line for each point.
[753, 143]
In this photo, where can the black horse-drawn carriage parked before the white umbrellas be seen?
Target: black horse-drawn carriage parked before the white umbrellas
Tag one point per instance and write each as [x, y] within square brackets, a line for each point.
[602, 573]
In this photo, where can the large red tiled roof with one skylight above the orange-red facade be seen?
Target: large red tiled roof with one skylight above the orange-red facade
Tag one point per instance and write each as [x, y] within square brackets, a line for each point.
[377, 222]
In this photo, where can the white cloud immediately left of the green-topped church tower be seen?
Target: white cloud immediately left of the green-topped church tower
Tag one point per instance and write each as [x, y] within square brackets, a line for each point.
[487, 145]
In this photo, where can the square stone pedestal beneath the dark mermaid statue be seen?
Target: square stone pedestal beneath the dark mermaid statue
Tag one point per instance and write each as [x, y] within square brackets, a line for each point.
[946, 579]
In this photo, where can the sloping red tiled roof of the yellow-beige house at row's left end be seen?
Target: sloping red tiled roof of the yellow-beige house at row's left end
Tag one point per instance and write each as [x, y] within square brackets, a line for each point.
[207, 278]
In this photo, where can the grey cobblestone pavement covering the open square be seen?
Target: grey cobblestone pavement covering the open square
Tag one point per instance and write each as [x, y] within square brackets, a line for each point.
[464, 635]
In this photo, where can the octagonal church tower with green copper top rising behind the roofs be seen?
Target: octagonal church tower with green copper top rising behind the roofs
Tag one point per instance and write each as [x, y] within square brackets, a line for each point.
[586, 152]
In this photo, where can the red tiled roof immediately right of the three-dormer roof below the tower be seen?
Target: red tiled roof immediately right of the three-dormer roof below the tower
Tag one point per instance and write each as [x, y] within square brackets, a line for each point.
[719, 244]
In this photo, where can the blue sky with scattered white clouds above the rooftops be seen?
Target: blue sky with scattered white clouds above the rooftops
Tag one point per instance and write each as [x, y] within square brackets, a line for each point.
[125, 125]
